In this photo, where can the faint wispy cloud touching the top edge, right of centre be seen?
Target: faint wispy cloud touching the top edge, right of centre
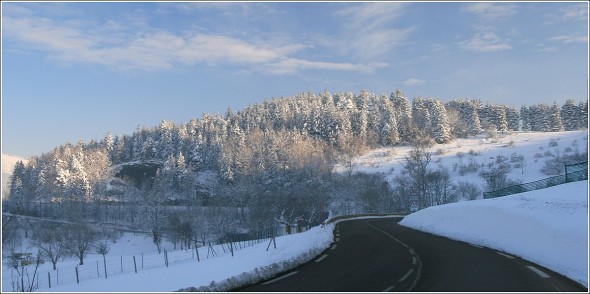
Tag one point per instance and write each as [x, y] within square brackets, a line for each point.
[369, 28]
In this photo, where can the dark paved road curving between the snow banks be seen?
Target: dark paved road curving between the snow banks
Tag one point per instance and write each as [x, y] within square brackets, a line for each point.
[374, 255]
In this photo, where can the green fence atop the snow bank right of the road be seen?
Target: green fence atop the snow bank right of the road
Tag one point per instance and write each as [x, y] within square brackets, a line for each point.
[573, 173]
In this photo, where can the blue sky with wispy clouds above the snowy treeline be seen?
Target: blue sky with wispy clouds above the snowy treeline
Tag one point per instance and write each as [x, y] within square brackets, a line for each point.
[74, 71]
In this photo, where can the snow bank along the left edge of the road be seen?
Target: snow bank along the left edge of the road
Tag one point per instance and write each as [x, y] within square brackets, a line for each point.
[221, 273]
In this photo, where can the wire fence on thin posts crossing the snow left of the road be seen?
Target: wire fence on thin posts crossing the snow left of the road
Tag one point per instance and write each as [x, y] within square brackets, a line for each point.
[111, 265]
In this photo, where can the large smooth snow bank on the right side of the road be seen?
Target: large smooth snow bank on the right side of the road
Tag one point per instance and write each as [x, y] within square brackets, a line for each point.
[548, 227]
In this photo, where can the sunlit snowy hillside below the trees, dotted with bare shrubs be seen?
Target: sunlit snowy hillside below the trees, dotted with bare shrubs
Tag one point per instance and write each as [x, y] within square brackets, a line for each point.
[479, 151]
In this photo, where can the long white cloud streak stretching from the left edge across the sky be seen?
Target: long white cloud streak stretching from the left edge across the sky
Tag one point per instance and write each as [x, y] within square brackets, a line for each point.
[156, 49]
